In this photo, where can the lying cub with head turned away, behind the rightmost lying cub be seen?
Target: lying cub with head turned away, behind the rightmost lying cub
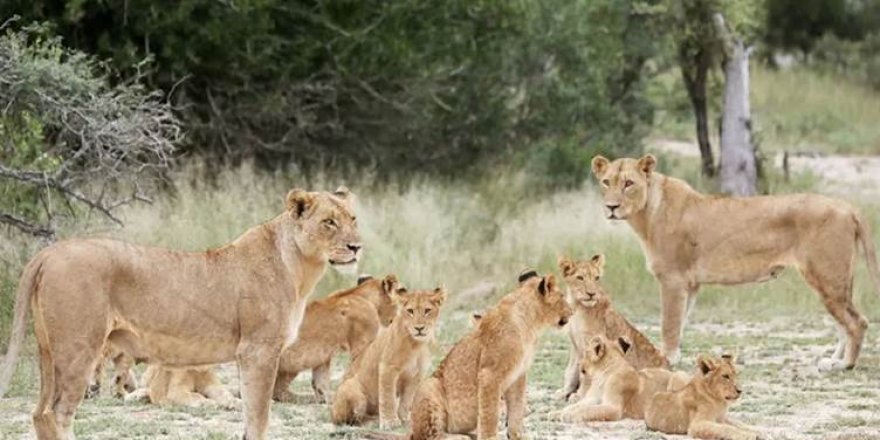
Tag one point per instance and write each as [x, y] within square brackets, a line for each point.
[616, 390]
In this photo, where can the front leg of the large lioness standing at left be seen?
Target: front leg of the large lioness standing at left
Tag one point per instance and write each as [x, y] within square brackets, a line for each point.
[258, 366]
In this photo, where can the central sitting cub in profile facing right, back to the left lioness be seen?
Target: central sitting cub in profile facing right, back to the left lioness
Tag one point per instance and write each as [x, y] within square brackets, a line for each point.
[489, 364]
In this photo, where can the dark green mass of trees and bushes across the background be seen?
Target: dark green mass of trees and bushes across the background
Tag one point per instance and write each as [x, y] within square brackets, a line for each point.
[405, 84]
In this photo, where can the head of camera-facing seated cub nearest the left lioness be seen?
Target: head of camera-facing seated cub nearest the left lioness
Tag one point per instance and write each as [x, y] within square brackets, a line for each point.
[417, 312]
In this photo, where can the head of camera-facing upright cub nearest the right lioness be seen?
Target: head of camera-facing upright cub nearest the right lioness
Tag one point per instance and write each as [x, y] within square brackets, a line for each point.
[582, 279]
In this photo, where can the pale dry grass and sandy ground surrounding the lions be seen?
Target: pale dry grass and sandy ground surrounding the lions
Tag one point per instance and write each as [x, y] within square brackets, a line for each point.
[475, 237]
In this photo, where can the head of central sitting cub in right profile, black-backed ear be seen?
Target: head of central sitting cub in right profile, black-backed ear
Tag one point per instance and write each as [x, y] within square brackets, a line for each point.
[544, 297]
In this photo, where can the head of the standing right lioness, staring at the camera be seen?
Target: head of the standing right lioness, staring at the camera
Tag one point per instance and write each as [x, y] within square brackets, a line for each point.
[624, 184]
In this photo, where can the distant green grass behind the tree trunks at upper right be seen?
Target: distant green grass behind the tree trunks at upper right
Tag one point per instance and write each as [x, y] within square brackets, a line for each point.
[794, 110]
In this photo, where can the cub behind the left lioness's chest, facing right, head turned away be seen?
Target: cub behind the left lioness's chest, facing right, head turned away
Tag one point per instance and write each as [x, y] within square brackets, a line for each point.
[347, 320]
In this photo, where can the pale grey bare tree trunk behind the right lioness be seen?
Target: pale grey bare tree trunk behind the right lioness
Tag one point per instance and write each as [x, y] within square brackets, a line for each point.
[738, 171]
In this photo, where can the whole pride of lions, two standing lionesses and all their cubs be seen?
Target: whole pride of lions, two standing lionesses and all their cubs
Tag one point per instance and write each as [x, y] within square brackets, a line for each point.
[96, 300]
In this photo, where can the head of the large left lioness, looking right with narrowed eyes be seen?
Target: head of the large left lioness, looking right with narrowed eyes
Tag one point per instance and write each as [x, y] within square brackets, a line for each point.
[325, 227]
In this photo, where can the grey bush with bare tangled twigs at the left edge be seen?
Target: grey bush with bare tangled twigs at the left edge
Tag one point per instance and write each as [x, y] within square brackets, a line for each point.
[70, 143]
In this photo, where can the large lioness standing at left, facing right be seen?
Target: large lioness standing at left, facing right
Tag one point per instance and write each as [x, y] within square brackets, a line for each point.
[243, 302]
